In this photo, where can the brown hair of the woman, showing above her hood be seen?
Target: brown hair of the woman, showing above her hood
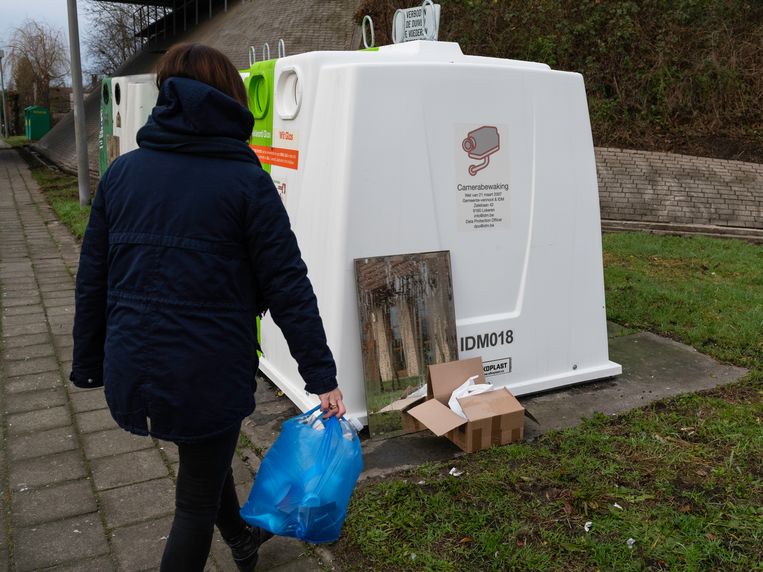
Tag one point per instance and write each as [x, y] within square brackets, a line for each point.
[204, 64]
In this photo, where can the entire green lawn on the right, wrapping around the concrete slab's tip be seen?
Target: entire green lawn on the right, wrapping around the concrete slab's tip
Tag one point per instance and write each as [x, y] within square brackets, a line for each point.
[682, 478]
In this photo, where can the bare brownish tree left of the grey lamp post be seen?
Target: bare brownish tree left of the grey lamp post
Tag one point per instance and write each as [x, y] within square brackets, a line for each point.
[39, 49]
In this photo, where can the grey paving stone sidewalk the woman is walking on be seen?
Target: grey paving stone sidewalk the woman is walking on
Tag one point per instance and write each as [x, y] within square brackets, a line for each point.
[78, 493]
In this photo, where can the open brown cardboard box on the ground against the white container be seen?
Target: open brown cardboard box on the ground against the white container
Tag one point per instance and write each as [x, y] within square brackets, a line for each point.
[493, 418]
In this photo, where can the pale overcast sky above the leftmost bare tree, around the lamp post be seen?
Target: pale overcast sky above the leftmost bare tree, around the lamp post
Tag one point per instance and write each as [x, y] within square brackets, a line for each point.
[52, 12]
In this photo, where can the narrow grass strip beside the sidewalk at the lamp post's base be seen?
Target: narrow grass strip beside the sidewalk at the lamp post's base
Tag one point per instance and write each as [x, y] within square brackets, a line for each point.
[62, 192]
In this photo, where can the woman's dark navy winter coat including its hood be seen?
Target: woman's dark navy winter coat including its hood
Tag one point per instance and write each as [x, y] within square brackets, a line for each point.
[188, 241]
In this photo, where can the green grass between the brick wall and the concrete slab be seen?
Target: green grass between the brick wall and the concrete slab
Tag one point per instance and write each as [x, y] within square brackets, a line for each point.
[703, 291]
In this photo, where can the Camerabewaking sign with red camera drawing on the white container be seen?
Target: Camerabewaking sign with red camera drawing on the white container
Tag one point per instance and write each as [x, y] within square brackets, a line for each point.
[482, 177]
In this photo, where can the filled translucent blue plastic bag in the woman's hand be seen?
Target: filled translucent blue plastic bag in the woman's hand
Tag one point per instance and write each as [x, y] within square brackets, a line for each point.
[305, 481]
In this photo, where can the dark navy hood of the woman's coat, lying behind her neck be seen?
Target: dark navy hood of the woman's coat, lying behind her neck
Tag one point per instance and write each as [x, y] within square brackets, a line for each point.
[193, 117]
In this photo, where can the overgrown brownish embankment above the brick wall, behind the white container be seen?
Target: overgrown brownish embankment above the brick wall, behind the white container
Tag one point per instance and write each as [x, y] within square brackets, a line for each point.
[682, 76]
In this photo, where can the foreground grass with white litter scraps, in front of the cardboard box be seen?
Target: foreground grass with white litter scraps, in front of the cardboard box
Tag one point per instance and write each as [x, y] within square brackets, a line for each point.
[686, 474]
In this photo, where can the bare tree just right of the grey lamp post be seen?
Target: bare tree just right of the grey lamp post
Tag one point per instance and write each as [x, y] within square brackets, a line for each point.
[110, 37]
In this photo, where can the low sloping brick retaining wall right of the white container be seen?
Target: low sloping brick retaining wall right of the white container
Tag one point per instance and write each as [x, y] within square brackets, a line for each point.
[653, 187]
